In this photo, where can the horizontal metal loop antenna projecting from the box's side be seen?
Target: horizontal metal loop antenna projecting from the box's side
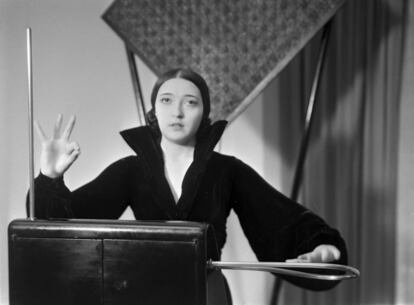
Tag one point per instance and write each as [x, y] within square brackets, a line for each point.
[292, 269]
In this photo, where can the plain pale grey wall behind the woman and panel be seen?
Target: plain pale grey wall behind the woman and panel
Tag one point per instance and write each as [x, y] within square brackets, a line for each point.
[80, 68]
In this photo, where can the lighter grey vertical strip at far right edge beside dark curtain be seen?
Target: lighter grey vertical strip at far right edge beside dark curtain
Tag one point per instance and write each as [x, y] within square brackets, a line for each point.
[405, 194]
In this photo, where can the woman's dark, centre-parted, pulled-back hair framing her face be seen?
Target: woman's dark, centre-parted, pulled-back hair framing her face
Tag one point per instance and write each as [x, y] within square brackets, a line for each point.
[196, 79]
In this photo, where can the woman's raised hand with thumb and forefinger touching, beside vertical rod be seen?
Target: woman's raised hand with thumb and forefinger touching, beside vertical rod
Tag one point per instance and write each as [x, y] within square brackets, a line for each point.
[58, 152]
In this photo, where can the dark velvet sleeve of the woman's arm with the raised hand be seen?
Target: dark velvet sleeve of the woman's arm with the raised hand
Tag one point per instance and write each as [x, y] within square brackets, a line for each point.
[105, 197]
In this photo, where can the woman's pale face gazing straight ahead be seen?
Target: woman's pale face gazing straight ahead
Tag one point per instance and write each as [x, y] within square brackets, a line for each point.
[179, 110]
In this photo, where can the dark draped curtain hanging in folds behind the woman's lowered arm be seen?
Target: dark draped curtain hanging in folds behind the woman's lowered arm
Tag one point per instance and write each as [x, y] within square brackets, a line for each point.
[351, 168]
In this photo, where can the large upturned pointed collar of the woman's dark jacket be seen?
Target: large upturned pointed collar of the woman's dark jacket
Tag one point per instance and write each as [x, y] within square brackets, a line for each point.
[147, 146]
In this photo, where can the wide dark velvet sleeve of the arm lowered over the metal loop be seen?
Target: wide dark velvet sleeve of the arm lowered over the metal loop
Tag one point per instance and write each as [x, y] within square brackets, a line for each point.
[278, 228]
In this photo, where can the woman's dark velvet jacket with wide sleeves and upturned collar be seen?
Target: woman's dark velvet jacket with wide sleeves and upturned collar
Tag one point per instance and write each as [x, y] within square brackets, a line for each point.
[276, 227]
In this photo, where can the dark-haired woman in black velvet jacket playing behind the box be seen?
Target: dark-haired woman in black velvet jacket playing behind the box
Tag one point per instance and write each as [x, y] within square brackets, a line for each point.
[176, 175]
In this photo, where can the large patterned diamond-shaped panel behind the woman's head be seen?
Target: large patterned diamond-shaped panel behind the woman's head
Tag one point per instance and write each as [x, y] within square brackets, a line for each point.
[238, 46]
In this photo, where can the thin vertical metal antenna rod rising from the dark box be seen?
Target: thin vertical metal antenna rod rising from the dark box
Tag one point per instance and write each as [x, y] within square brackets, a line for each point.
[30, 100]
